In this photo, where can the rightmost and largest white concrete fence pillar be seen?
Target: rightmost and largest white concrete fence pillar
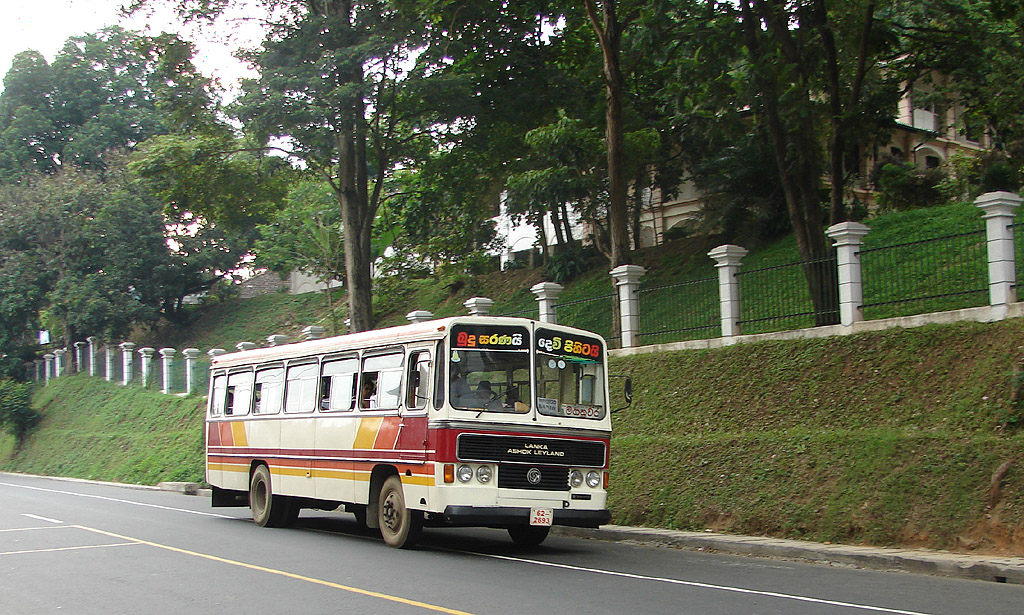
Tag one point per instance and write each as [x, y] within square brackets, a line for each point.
[999, 216]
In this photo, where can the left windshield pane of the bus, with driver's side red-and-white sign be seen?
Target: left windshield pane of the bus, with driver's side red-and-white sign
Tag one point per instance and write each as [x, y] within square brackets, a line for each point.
[489, 369]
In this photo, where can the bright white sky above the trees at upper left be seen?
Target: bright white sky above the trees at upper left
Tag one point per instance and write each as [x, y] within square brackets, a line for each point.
[46, 25]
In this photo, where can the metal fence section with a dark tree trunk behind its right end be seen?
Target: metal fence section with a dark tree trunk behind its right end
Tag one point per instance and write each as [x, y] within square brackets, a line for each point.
[779, 297]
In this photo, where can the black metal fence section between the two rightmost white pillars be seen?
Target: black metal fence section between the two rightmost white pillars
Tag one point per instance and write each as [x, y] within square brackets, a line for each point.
[942, 274]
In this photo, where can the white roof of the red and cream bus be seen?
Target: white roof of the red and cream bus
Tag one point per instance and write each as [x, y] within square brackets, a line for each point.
[417, 332]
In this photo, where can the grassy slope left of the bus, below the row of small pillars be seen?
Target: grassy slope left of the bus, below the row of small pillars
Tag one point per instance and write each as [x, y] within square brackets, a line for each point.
[98, 430]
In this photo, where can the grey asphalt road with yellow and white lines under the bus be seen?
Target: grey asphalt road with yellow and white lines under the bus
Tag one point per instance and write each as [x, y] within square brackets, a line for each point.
[84, 548]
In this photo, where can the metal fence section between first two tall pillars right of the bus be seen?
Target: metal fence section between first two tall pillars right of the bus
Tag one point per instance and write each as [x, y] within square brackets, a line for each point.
[687, 311]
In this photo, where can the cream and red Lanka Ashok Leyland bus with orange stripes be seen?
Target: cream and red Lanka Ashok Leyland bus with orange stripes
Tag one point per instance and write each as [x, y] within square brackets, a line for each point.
[475, 421]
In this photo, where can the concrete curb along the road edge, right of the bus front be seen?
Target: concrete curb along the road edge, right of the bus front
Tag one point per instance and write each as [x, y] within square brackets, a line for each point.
[988, 568]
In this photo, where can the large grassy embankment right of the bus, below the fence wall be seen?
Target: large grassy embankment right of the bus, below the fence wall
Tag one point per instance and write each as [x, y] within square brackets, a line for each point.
[884, 438]
